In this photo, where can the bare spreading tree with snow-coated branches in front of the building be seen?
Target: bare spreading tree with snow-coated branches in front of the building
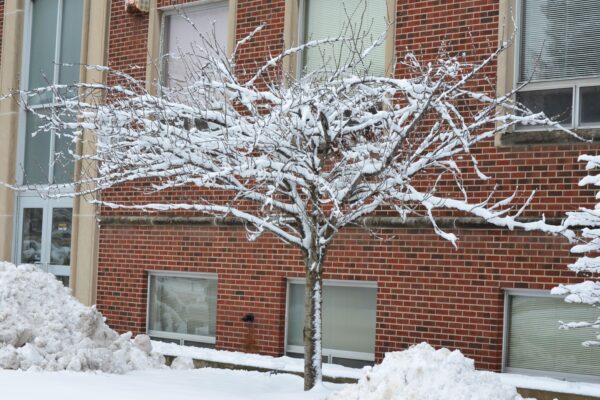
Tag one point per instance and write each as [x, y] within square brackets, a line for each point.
[298, 157]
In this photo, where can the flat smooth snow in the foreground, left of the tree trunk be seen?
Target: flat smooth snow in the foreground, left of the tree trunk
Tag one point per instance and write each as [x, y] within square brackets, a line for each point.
[200, 384]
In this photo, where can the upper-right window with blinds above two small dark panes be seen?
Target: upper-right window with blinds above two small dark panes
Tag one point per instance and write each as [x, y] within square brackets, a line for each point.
[559, 53]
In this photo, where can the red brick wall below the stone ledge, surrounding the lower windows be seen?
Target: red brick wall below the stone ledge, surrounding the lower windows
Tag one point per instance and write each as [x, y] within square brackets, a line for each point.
[427, 290]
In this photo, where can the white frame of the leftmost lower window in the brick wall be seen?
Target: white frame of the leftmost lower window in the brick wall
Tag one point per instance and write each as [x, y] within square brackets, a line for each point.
[182, 337]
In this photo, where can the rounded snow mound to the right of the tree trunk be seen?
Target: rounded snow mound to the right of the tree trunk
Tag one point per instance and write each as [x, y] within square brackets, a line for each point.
[422, 372]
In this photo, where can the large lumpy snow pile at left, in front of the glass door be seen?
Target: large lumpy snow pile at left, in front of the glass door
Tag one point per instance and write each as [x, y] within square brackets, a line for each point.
[42, 327]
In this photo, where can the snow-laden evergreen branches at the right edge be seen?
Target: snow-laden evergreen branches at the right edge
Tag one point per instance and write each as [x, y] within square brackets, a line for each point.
[587, 292]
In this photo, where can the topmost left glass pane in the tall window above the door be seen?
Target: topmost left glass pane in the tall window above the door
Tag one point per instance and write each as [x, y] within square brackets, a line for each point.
[43, 46]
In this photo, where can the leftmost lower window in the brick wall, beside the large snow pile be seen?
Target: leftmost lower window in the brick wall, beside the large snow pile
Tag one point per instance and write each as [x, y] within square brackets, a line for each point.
[182, 308]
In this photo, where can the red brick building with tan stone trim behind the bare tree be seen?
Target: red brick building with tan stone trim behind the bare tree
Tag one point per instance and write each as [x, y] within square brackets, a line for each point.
[186, 279]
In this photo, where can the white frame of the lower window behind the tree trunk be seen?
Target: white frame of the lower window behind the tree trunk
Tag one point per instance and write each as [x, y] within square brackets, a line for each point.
[328, 354]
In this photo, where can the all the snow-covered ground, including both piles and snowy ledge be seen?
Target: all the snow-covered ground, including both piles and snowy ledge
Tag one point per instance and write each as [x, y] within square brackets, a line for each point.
[53, 347]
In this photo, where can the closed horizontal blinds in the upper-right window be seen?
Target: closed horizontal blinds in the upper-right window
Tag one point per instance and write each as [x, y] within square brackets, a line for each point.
[560, 39]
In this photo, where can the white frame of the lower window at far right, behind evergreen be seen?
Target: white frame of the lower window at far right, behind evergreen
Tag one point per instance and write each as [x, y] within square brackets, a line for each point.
[508, 293]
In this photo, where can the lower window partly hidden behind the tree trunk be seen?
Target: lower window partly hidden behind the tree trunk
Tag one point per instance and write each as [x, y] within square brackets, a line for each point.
[348, 321]
